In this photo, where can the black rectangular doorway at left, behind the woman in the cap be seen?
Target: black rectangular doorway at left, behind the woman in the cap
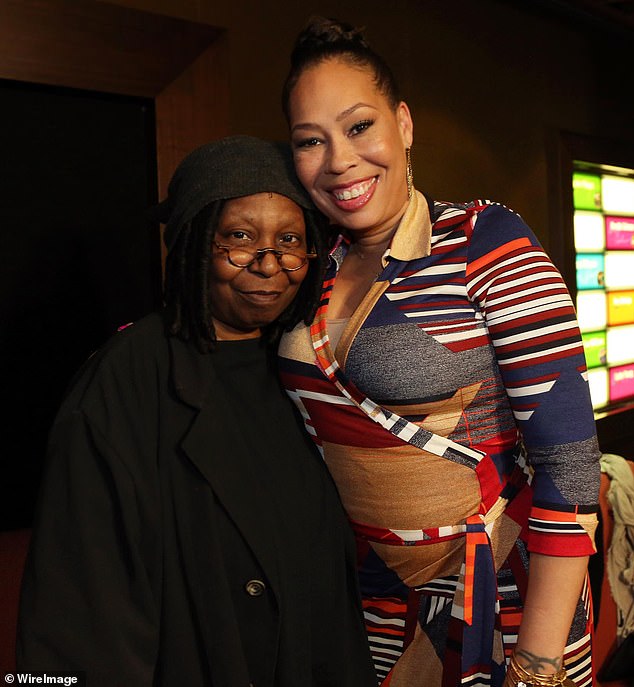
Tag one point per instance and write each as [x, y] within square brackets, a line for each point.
[78, 256]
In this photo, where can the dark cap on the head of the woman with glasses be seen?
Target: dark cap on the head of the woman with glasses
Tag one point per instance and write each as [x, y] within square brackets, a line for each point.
[231, 167]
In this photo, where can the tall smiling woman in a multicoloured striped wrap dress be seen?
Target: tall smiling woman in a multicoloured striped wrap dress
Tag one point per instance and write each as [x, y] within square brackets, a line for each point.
[444, 381]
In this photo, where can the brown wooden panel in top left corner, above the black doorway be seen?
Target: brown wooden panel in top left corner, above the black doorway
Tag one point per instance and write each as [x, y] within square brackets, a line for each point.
[96, 46]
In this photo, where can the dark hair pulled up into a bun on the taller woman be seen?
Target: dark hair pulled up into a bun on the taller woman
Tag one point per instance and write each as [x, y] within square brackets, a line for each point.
[325, 39]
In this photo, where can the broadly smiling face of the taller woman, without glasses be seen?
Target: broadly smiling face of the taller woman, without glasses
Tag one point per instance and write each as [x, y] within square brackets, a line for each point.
[349, 146]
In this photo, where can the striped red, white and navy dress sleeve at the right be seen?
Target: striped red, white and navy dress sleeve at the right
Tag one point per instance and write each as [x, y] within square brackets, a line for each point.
[533, 328]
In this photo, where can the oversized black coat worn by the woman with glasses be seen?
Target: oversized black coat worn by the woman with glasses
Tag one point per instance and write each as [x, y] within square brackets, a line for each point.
[126, 577]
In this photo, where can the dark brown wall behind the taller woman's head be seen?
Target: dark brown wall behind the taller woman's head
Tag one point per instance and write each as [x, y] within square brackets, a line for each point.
[487, 82]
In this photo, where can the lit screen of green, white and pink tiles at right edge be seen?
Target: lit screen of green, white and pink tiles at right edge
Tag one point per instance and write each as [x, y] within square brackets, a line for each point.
[604, 245]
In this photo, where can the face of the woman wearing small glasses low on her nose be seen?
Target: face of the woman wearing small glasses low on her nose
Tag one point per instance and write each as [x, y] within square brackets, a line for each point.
[245, 299]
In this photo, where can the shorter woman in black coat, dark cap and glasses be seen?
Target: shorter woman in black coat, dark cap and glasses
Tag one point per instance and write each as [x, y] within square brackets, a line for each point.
[187, 533]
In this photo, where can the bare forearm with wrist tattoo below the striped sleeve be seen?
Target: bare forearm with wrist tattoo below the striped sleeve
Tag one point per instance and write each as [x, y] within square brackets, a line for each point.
[554, 586]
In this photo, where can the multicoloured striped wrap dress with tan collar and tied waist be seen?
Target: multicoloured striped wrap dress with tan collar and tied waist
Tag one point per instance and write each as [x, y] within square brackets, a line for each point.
[454, 415]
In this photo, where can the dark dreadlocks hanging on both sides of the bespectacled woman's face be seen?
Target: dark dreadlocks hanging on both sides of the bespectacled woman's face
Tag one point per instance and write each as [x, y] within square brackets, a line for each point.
[186, 290]
